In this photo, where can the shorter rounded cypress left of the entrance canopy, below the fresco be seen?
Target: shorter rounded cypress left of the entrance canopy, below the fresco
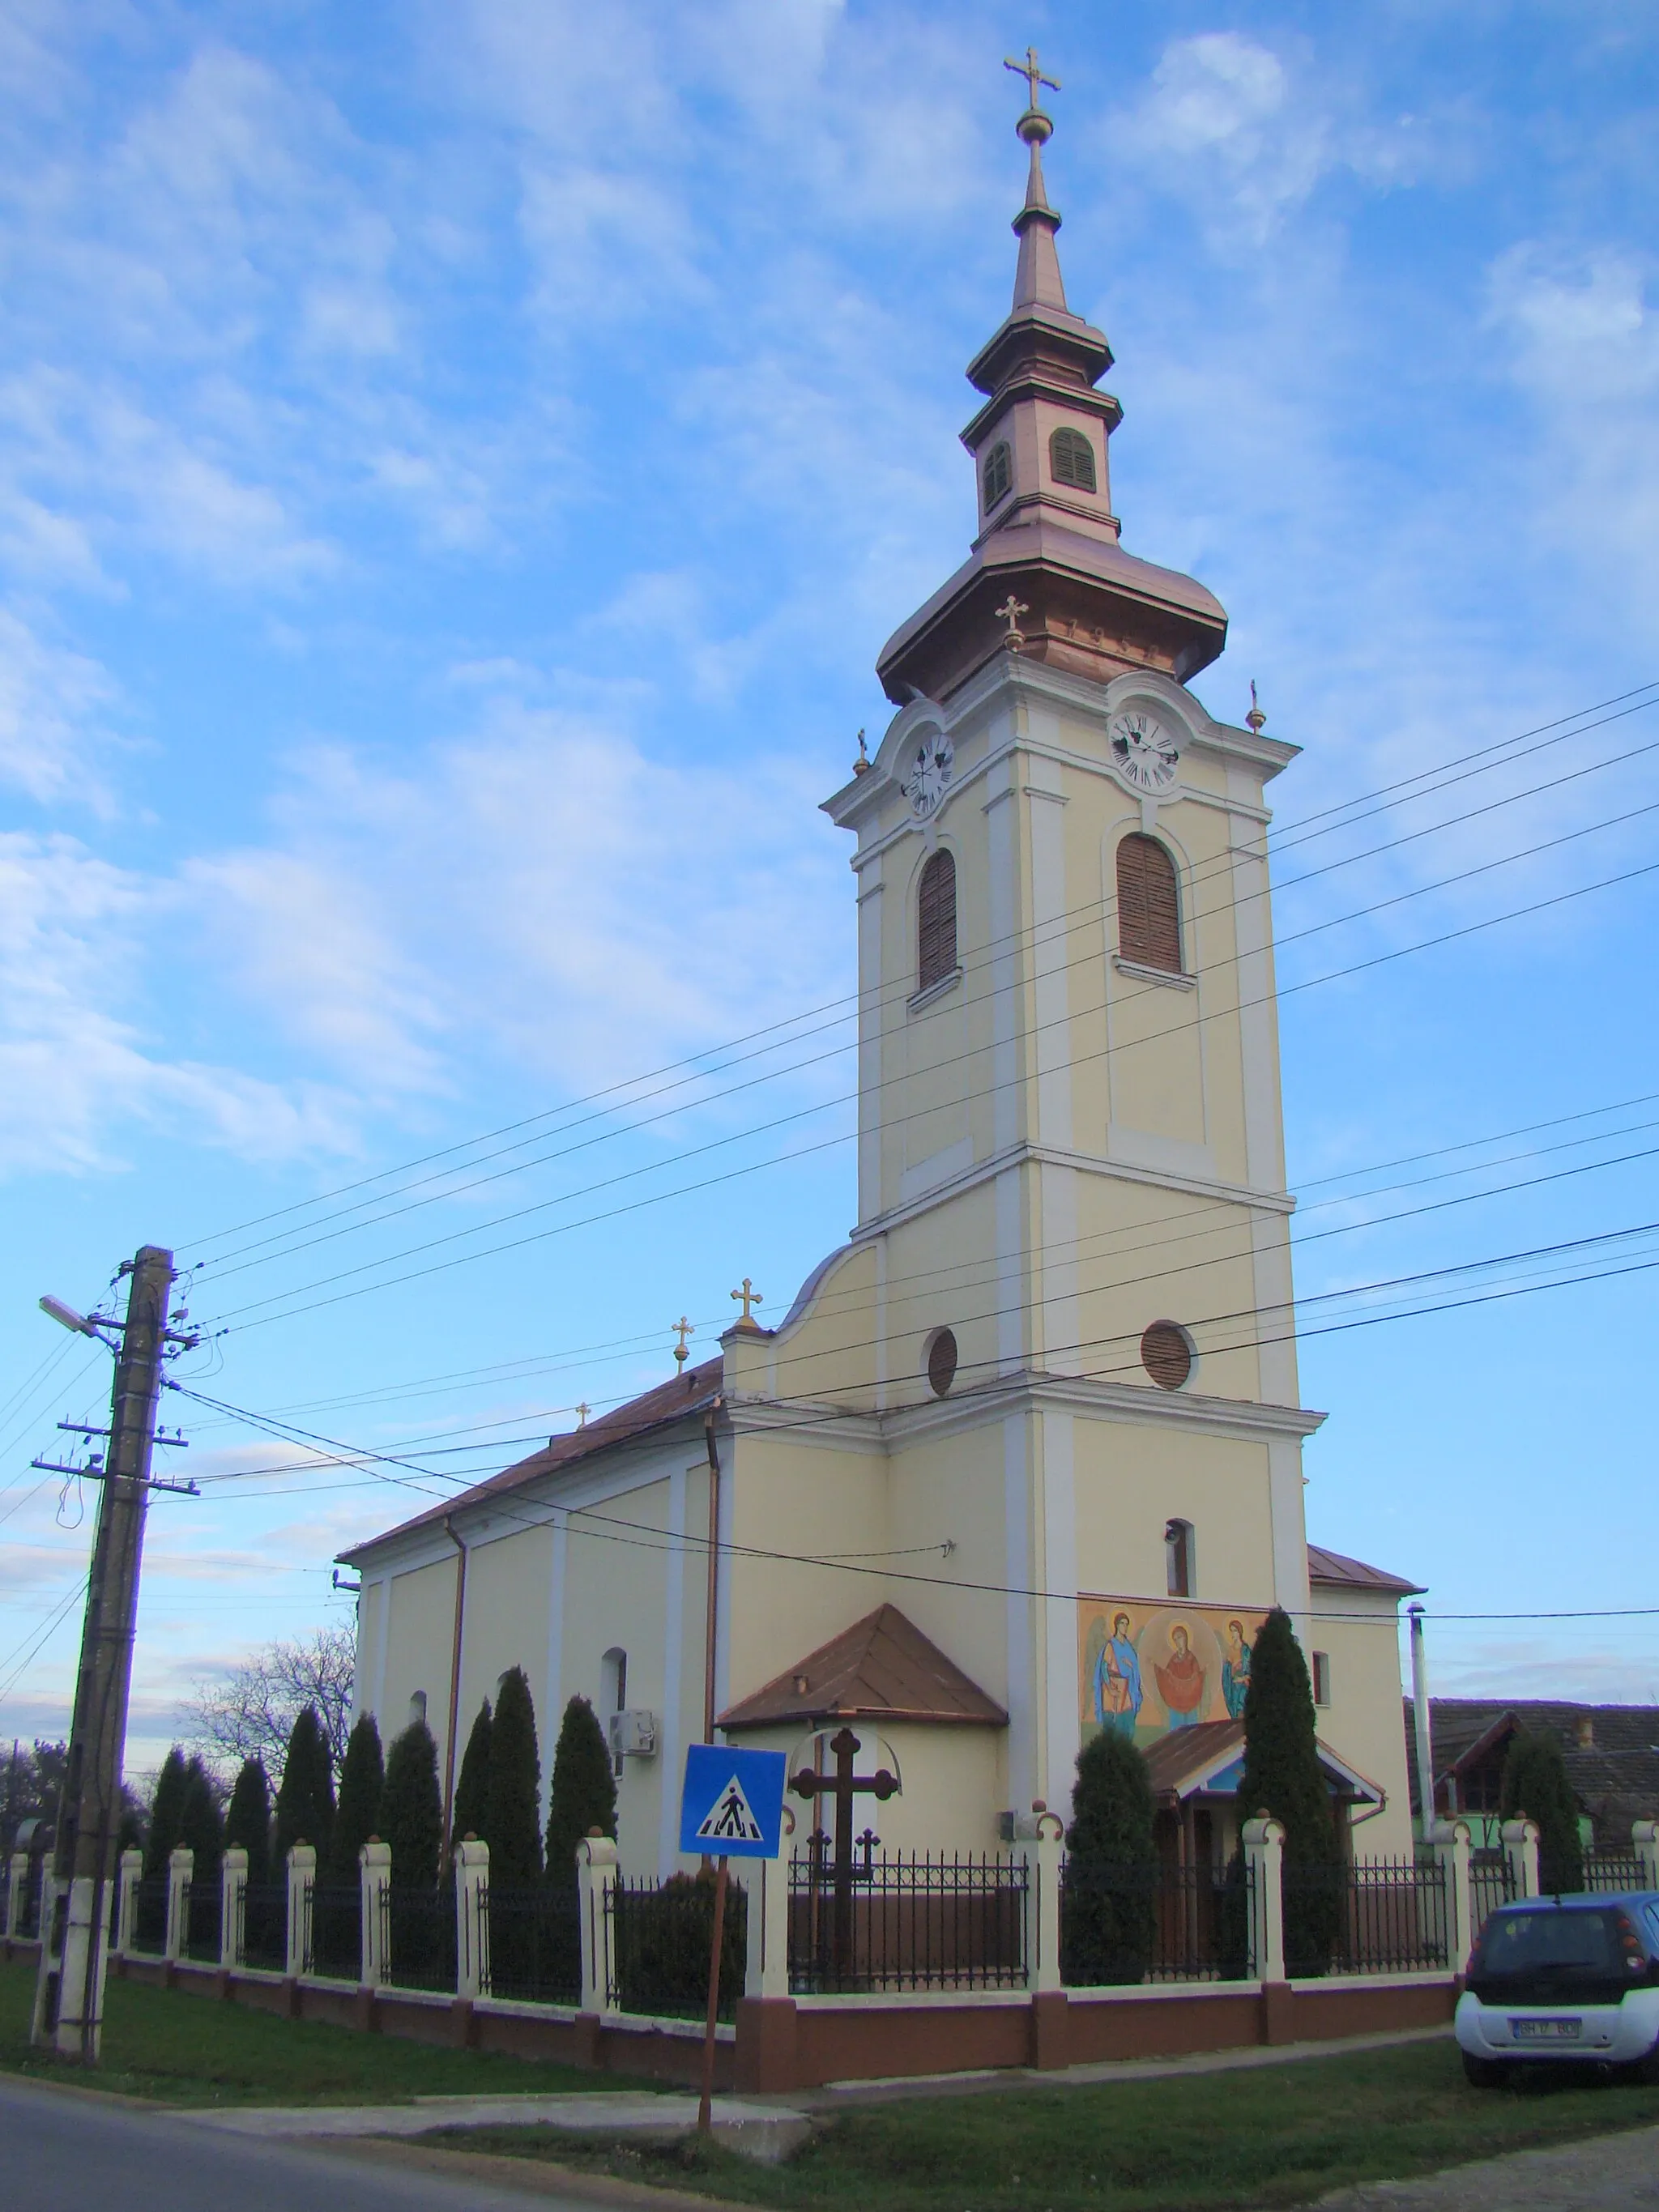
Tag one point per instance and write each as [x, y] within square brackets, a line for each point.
[1112, 1866]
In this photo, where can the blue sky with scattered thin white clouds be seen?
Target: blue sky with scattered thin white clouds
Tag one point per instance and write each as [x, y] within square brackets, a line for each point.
[457, 470]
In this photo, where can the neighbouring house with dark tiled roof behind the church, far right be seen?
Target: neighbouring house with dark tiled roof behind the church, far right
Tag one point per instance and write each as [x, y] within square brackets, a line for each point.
[1611, 1760]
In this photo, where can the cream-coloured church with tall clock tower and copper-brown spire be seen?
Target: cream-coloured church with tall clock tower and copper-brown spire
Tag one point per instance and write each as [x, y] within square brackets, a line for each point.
[1025, 1457]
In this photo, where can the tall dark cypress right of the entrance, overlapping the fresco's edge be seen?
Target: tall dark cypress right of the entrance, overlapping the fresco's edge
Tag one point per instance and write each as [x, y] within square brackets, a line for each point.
[1282, 1777]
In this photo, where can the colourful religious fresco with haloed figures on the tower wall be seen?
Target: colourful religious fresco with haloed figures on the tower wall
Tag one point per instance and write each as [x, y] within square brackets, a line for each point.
[1147, 1669]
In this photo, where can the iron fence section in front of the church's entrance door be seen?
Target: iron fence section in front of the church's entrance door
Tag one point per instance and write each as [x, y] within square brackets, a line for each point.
[1154, 1923]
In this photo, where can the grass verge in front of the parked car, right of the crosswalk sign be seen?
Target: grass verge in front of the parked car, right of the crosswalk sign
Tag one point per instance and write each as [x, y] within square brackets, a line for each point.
[1273, 2136]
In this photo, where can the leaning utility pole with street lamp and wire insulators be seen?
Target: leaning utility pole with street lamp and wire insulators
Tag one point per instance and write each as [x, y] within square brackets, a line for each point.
[74, 1923]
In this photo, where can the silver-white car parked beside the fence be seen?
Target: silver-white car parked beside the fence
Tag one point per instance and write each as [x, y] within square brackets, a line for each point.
[1565, 1981]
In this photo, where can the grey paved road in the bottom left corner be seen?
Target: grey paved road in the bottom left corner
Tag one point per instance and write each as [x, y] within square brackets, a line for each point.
[79, 2156]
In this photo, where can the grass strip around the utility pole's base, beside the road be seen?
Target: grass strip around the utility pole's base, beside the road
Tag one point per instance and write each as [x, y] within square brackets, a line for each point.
[182, 2049]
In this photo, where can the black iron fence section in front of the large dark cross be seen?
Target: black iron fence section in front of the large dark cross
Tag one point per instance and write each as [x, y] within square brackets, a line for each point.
[908, 1921]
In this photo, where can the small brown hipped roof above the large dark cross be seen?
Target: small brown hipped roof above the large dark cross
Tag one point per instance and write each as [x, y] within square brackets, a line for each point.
[881, 1669]
